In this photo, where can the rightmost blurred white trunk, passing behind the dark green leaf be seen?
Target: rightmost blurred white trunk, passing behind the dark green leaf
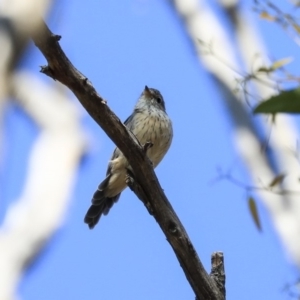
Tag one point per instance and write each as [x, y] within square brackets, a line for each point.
[285, 210]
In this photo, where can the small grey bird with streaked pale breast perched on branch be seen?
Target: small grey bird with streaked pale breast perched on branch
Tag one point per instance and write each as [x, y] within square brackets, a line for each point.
[149, 122]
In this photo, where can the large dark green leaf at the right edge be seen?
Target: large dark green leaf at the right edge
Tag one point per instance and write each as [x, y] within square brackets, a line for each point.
[285, 102]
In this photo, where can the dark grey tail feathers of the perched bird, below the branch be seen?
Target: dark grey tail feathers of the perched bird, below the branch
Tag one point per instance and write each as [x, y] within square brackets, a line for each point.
[100, 206]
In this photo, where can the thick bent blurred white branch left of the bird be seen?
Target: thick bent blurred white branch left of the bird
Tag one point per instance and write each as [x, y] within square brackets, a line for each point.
[52, 166]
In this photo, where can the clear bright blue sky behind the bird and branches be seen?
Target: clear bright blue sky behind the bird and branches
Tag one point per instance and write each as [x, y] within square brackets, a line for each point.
[121, 46]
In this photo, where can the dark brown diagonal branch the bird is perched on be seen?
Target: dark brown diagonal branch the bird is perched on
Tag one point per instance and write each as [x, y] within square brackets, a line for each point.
[61, 69]
